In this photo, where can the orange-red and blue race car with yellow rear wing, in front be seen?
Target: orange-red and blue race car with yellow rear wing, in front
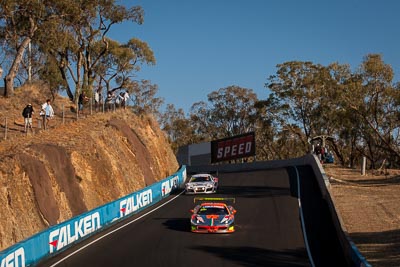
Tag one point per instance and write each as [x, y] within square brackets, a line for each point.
[213, 215]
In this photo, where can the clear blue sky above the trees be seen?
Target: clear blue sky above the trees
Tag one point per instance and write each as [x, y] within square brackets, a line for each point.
[204, 45]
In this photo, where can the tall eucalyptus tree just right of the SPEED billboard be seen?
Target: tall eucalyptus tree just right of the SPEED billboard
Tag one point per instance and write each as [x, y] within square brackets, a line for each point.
[300, 86]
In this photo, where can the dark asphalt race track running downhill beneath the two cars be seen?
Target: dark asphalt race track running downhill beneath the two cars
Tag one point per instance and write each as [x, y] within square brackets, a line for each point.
[268, 229]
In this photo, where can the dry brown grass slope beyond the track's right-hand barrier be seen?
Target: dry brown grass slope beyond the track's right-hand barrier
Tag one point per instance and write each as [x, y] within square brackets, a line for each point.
[370, 210]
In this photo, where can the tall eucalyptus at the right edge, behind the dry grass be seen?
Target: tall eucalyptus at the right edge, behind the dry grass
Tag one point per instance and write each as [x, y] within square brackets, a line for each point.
[375, 102]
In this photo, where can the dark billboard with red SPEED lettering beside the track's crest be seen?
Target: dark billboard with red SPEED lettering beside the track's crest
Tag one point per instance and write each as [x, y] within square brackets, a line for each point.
[235, 147]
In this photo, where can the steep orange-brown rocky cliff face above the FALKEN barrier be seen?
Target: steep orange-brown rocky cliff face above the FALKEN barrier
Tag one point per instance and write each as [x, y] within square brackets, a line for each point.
[53, 175]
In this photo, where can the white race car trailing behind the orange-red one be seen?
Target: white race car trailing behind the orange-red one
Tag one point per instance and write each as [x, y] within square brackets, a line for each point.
[203, 183]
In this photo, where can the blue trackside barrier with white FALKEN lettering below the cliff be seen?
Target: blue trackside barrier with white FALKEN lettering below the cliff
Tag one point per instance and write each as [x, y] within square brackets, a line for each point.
[66, 234]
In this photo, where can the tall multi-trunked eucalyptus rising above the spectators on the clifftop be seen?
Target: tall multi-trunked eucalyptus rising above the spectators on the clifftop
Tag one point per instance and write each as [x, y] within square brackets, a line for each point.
[80, 44]
